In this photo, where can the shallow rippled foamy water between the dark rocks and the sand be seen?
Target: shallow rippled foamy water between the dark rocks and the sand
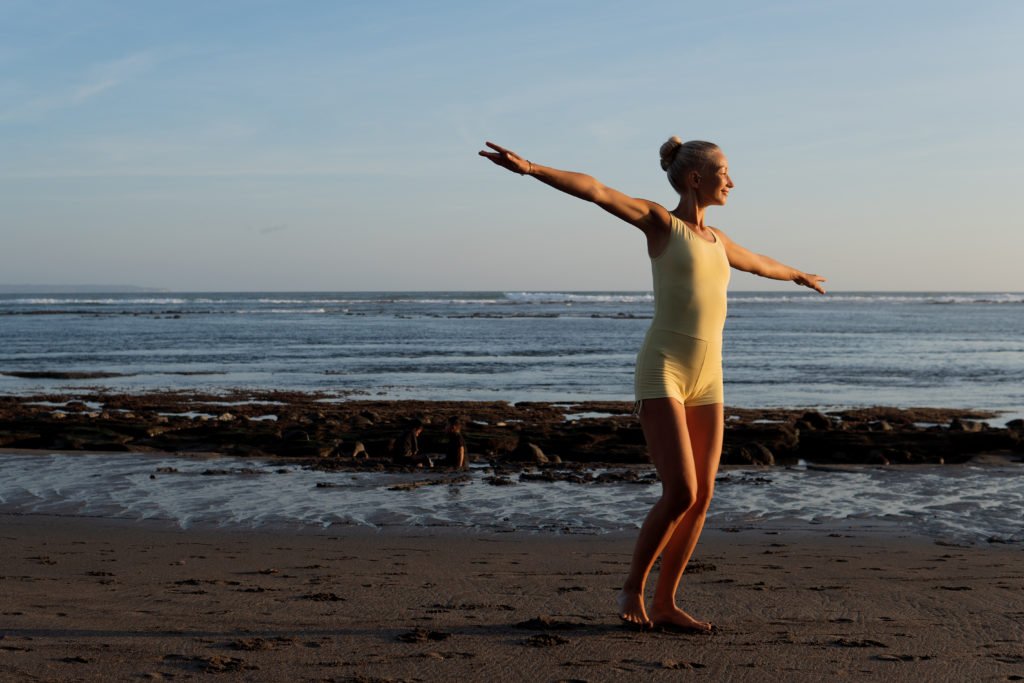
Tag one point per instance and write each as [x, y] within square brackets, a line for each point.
[961, 502]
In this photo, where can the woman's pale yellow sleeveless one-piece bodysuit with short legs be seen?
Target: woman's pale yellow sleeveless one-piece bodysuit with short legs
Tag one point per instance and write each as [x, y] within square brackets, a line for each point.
[681, 357]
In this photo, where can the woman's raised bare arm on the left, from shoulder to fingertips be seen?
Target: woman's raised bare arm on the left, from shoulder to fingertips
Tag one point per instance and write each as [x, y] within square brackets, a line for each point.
[643, 214]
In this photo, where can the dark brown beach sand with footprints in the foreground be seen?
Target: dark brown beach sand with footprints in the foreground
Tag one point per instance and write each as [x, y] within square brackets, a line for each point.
[119, 601]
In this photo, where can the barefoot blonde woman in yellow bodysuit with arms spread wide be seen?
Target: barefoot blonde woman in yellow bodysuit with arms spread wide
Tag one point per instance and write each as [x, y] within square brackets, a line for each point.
[679, 369]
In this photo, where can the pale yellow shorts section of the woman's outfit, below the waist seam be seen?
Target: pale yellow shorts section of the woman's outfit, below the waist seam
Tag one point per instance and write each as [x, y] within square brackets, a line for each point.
[677, 366]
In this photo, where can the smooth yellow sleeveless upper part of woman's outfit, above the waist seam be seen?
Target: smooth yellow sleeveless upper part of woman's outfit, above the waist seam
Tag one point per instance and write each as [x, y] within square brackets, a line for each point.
[691, 278]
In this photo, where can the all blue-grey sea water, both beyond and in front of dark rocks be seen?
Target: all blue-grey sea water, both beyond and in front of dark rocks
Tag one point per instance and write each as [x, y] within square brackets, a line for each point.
[844, 350]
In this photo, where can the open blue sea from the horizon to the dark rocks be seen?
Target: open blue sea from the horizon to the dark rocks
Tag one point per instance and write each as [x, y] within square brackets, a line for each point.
[793, 350]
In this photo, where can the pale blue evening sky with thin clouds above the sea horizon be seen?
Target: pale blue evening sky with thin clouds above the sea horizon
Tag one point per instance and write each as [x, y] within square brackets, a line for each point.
[266, 146]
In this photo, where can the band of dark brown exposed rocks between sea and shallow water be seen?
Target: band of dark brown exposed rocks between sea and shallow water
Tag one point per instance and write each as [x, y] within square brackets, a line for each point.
[340, 434]
